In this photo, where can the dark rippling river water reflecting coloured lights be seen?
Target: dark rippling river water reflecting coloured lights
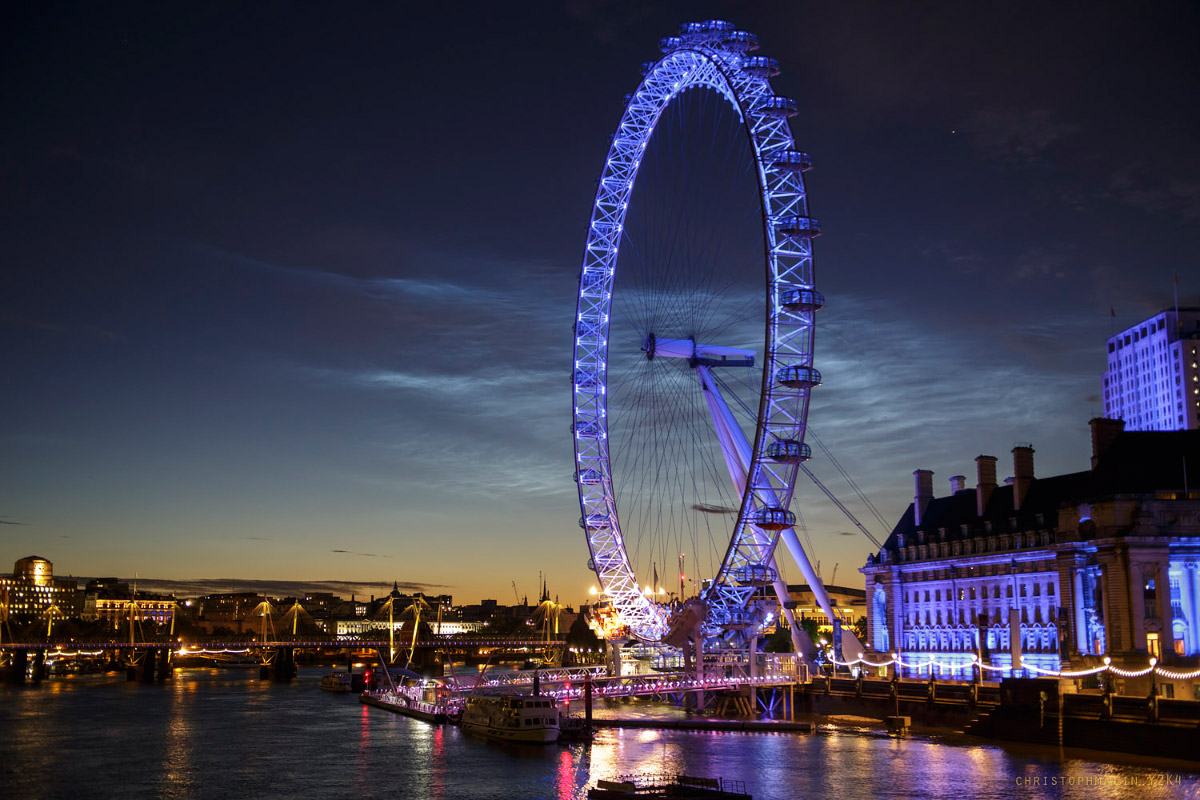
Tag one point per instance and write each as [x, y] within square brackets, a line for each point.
[227, 735]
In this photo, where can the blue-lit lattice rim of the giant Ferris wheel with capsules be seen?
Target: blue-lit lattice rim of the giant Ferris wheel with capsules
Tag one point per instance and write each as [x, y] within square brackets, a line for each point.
[705, 61]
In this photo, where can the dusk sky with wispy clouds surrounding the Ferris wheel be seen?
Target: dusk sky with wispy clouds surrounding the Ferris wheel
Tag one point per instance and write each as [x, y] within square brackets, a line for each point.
[289, 288]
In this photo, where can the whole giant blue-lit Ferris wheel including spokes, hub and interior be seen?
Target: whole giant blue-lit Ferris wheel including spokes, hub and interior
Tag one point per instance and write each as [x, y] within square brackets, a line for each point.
[694, 339]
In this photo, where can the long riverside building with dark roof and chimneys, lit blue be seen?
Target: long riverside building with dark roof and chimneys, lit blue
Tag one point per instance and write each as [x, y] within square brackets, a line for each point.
[1057, 572]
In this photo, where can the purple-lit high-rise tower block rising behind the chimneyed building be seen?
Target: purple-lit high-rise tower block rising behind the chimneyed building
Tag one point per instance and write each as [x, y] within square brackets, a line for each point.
[1153, 381]
